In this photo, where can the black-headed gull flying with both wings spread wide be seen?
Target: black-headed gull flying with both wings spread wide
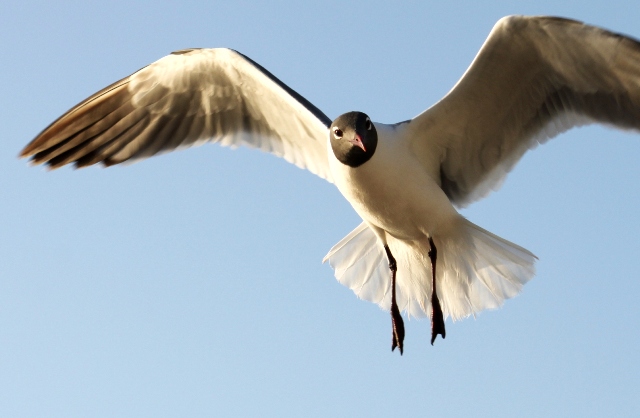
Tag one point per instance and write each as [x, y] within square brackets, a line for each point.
[533, 78]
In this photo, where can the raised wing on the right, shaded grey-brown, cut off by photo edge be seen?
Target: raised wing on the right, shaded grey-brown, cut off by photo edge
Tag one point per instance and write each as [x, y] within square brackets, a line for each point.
[533, 78]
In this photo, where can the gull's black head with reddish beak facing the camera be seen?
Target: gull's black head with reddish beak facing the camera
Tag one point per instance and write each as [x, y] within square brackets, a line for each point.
[353, 138]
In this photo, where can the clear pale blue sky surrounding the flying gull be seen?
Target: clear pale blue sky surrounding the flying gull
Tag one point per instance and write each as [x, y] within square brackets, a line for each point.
[191, 284]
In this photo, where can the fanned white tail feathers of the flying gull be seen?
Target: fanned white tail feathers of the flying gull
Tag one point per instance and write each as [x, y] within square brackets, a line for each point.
[476, 270]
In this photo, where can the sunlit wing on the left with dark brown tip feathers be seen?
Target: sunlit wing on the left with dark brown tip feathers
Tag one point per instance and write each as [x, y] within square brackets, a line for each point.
[184, 99]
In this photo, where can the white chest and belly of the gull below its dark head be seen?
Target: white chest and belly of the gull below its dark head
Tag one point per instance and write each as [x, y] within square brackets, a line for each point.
[393, 191]
